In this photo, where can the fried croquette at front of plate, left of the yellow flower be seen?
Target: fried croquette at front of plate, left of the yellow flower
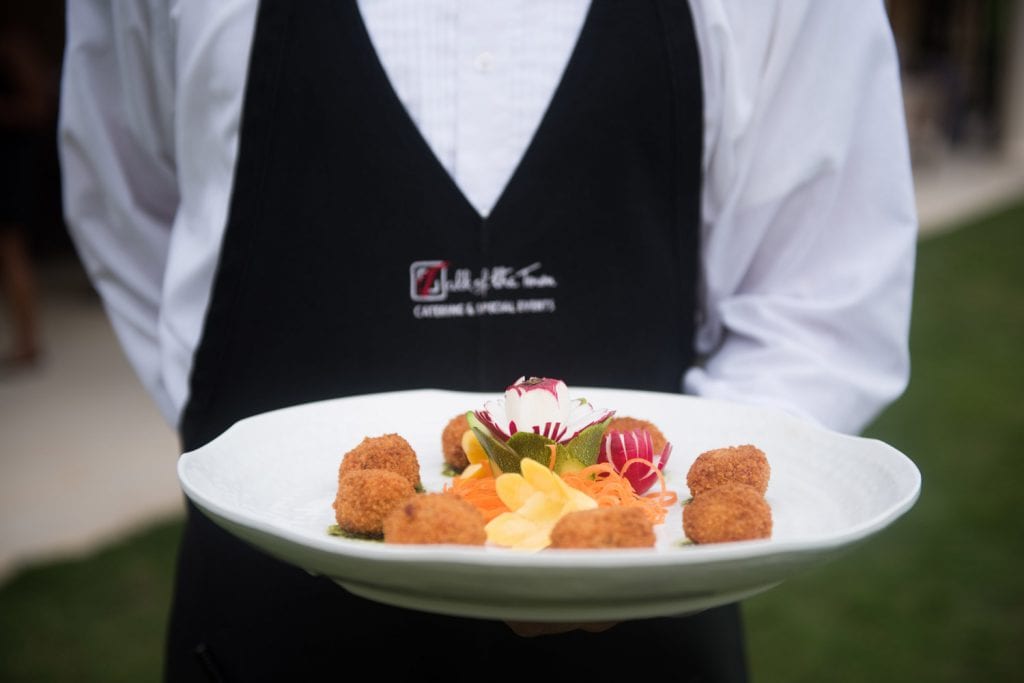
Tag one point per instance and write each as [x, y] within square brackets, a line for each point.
[436, 519]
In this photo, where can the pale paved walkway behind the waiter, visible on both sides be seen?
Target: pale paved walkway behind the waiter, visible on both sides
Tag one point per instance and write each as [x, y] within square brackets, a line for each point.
[86, 457]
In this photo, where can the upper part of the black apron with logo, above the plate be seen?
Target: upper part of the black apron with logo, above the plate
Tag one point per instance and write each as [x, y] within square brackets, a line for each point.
[354, 264]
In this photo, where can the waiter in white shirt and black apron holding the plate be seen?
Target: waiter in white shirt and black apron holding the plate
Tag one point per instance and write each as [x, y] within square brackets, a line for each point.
[285, 202]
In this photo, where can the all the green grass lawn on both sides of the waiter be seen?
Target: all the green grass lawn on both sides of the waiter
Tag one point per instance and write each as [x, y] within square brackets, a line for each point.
[936, 597]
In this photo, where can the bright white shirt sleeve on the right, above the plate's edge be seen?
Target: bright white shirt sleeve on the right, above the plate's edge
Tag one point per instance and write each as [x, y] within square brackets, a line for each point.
[809, 222]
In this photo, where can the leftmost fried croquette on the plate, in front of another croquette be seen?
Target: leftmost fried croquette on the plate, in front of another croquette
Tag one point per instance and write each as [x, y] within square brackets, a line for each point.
[365, 499]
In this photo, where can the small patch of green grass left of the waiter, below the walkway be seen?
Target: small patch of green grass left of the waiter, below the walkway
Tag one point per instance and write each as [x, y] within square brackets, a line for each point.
[100, 619]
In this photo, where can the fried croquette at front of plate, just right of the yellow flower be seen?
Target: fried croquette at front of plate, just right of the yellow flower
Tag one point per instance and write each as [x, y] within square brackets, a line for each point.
[605, 528]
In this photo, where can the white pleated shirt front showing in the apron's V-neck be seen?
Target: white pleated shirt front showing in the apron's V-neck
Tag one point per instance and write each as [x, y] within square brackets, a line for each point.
[475, 81]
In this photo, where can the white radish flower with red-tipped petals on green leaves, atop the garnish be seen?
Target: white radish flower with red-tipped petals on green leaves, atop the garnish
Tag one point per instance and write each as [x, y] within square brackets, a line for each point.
[535, 414]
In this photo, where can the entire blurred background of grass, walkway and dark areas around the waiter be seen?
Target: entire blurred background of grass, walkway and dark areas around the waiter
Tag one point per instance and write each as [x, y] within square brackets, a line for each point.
[87, 564]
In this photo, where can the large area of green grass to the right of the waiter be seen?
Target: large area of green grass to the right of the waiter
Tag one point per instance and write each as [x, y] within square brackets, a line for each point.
[940, 596]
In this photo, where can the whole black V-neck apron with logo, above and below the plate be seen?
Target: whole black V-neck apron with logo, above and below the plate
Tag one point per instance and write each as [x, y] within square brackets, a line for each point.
[353, 264]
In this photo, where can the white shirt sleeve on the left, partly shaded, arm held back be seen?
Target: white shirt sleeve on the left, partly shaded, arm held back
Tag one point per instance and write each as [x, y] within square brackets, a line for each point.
[116, 148]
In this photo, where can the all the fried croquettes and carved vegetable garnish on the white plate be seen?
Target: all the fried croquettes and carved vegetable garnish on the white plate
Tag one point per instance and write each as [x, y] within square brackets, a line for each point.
[539, 469]
